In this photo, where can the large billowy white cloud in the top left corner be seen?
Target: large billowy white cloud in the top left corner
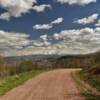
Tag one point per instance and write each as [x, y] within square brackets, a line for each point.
[16, 8]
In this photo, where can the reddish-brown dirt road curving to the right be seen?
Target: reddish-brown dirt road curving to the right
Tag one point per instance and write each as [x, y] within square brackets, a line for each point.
[53, 85]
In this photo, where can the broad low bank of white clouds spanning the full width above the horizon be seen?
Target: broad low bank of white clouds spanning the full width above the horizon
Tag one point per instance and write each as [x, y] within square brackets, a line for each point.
[74, 41]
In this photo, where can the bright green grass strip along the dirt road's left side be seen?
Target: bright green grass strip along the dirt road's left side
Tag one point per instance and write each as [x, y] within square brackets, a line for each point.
[16, 80]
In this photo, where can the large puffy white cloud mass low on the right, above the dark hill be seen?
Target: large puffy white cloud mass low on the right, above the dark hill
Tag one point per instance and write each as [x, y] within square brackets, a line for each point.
[79, 40]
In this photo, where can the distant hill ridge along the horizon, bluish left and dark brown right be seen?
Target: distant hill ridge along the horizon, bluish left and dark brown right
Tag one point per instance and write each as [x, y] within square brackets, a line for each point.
[86, 60]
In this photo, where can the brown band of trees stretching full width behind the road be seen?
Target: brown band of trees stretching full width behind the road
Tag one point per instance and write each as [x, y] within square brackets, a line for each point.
[72, 61]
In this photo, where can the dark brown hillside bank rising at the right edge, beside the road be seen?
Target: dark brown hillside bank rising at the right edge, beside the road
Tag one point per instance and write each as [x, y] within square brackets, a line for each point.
[92, 76]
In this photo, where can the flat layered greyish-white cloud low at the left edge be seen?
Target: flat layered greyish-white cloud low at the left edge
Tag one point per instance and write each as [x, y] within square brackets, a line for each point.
[13, 40]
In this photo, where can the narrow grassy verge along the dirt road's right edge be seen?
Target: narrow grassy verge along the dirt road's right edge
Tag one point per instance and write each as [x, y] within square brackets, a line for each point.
[87, 93]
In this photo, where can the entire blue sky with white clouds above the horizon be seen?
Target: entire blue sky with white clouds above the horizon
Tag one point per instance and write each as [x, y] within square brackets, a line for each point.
[31, 27]
